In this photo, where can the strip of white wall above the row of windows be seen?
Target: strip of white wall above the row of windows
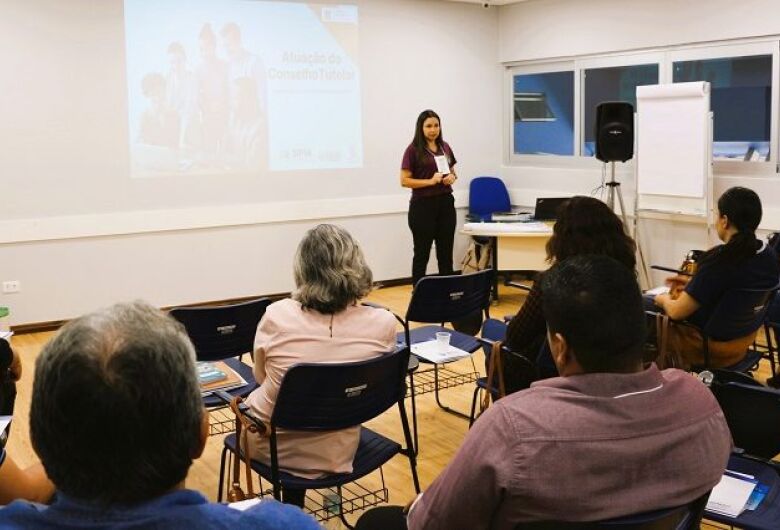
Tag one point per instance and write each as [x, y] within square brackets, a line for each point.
[541, 29]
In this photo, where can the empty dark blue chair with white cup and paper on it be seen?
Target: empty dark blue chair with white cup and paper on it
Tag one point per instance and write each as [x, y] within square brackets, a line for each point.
[438, 300]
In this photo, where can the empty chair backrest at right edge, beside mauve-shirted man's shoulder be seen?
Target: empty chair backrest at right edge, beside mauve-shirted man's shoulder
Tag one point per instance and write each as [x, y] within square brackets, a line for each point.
[753, 414]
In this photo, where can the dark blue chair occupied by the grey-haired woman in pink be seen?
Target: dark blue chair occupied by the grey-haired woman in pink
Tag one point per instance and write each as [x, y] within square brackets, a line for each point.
[320, 397]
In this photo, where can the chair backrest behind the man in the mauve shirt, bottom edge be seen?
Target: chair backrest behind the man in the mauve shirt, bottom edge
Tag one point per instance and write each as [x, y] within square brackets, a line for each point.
[686, 517]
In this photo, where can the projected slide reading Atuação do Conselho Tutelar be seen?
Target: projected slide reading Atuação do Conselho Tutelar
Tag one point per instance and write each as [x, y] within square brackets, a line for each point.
[232, 86]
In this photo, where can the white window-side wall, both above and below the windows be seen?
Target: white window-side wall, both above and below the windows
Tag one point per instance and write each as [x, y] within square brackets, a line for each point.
[540, 30]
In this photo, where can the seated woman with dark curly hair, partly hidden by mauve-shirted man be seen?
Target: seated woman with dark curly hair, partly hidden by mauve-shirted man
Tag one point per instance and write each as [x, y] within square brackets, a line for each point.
[585, 226]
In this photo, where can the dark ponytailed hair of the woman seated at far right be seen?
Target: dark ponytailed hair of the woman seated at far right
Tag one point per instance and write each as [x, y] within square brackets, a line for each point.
[742, 208]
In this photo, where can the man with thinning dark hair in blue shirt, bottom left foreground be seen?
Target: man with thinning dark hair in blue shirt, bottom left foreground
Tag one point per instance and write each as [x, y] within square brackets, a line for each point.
[117, 420]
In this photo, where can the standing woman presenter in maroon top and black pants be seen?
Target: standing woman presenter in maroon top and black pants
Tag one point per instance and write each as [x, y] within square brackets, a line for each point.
[428, 168]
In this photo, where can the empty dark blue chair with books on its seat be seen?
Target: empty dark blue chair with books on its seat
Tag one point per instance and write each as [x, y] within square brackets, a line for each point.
[224, 333]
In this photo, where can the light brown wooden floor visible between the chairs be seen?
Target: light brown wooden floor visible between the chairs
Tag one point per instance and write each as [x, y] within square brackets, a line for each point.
[440, 433]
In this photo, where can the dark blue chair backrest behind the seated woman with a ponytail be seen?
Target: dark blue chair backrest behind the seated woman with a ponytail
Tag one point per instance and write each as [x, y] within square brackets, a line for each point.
[739, 313]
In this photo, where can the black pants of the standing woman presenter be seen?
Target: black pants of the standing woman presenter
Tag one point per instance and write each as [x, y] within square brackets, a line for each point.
[432, 219]
